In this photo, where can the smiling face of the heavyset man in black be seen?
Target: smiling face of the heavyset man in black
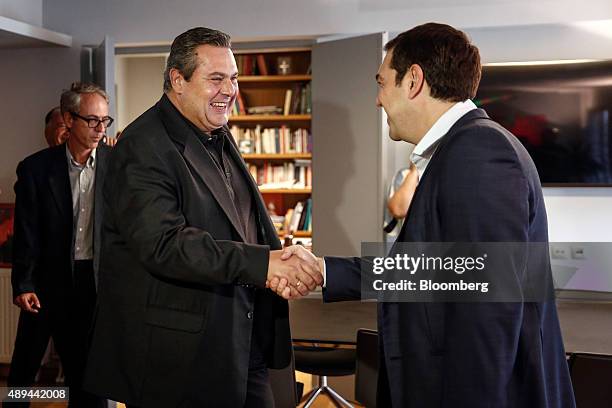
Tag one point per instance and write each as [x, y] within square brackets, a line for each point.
[206, 99]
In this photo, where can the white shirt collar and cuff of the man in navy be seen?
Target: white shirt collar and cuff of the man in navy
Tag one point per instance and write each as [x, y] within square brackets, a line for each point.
[425, 149]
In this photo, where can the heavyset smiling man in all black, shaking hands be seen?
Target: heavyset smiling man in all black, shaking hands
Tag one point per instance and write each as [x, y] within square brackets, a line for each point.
[183, 316]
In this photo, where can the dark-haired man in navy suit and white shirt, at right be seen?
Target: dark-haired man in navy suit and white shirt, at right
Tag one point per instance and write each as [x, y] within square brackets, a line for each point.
[476, 184]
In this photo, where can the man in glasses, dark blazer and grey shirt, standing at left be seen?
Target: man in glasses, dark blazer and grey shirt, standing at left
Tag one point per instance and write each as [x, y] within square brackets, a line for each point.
[56, 242]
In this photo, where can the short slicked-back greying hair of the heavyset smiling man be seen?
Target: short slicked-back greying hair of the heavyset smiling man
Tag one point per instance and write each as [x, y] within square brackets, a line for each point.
[183, 55]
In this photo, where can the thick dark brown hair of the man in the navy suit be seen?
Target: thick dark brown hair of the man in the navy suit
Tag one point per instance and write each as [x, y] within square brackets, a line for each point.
[450, 63]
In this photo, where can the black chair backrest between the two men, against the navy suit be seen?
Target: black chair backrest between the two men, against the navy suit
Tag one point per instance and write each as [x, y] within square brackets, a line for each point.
[366, 369]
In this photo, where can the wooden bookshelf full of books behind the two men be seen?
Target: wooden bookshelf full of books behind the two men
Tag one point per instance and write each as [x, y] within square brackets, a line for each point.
[271, 123]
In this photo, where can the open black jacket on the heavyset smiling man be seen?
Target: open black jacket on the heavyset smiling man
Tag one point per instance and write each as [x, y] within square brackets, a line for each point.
[174, 323]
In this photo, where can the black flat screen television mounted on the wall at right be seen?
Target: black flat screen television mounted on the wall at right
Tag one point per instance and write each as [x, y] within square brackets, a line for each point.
[560, 112]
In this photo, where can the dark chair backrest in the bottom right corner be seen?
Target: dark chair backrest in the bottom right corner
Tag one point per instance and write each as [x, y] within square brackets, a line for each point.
[592, 379]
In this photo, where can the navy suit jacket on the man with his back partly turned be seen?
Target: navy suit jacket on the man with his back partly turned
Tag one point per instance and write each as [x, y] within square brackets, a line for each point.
[480, 186]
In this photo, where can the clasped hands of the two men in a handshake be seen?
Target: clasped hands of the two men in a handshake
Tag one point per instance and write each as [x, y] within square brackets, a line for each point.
[302, 274]
